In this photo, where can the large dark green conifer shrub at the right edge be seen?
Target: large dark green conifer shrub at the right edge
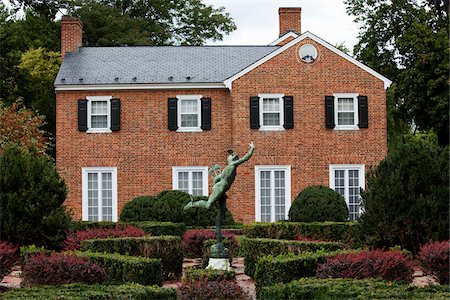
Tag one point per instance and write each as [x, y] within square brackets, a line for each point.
[406, 198]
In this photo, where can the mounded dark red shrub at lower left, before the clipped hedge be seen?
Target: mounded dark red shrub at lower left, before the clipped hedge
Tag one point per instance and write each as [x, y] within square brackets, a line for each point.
[58, 268]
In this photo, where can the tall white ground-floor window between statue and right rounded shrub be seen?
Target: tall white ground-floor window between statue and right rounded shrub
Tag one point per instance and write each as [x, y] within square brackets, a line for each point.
[273, 193]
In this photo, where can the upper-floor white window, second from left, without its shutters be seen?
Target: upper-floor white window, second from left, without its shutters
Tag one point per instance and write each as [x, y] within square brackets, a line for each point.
[189, 112]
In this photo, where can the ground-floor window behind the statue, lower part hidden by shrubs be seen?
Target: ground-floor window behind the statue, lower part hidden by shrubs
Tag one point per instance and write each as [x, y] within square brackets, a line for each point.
[192, 180]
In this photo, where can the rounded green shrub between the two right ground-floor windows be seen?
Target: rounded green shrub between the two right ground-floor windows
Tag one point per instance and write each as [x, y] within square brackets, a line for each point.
[318, 204]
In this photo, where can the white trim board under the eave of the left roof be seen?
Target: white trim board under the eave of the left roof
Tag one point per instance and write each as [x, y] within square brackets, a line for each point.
[138, 86]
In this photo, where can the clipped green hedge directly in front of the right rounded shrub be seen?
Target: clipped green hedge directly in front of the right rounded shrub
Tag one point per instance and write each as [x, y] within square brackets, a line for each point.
[344, 232]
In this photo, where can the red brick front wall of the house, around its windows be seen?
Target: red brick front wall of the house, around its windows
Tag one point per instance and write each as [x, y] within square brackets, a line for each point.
[144, 150]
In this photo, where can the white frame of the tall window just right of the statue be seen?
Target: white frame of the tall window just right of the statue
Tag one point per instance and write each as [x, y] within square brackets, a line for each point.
[258, 169]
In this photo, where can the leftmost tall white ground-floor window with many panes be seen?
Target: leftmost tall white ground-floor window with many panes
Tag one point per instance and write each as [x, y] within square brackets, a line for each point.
[99, 193]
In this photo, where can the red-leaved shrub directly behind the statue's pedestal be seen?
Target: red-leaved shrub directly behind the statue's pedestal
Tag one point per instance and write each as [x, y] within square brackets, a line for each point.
[193, 241]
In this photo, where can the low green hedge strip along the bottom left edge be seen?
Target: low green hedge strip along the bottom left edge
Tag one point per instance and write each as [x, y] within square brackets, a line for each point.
[97, 292]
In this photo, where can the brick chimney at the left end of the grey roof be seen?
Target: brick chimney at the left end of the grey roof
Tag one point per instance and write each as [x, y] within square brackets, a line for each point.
[71, 34]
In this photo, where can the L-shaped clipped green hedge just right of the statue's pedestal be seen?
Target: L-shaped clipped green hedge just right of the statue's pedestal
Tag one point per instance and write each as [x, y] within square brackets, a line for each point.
[252, 249]
